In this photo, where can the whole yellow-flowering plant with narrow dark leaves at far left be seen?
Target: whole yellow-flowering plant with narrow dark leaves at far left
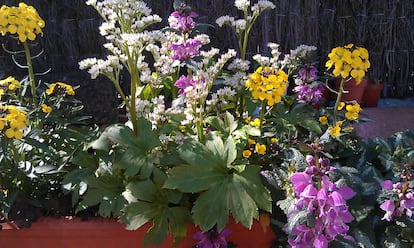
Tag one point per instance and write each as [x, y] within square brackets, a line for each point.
[38, 127]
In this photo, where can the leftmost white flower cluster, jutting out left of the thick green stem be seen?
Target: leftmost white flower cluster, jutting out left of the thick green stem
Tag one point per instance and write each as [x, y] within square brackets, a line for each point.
[109, 67]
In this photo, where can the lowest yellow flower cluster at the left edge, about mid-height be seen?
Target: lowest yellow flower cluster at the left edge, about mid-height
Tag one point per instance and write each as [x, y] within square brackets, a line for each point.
[13, 121]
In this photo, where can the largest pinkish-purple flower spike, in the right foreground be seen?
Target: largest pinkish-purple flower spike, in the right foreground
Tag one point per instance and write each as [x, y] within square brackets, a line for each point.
[319, 197]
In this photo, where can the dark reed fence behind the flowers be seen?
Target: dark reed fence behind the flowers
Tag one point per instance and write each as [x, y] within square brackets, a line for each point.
[384, 27]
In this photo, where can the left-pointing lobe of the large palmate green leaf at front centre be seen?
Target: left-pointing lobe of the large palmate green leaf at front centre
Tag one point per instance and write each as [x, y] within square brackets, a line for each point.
[192, 179]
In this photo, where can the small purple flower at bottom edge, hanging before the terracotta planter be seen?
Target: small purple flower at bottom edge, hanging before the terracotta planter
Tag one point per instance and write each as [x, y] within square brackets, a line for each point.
[212, 239]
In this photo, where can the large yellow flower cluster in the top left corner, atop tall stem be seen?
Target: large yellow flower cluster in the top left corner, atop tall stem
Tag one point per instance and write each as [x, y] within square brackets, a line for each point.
[23, 21]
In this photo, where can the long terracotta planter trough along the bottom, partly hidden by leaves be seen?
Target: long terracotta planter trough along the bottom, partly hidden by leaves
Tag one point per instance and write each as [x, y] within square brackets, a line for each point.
[109, 233]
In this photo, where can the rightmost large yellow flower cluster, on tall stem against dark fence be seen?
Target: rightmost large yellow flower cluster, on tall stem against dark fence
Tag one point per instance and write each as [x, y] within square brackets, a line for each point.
[349, 61]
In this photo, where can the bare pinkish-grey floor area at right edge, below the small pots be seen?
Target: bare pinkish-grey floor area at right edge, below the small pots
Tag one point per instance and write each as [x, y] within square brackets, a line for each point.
[391, 116]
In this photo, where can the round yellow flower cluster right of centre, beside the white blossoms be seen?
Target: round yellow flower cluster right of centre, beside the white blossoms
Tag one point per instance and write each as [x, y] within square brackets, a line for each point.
[267, 84]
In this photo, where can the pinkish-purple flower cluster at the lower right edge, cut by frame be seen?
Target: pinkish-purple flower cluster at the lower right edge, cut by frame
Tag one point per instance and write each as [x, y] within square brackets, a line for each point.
[402, 200]
